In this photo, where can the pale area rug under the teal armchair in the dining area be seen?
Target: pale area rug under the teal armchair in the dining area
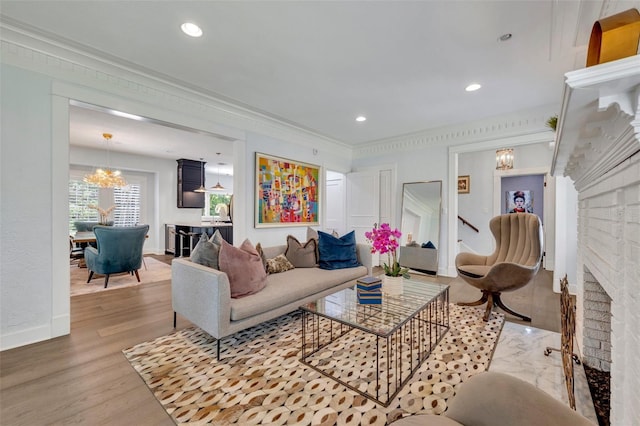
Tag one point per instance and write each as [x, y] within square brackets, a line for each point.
[152, 271]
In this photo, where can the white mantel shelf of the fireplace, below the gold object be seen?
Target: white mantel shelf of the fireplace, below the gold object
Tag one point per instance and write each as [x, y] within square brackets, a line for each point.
[599, 124]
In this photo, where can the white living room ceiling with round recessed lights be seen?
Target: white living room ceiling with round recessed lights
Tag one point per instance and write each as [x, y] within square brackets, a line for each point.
[319, 64]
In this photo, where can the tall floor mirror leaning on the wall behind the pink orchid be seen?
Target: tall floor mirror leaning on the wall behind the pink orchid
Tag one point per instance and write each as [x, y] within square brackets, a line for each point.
[421, 204]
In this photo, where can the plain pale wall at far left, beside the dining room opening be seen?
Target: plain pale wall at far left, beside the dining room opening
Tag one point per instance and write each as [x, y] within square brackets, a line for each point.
[25, 208]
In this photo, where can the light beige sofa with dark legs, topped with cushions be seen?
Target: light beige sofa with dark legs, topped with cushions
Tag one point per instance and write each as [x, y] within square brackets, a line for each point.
[203, 296]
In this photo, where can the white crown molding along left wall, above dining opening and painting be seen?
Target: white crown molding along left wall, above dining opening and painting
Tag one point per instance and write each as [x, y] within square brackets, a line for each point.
[38, 53]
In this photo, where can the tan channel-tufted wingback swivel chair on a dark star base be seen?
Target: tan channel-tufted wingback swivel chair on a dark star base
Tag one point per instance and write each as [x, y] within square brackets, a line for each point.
[512, 265]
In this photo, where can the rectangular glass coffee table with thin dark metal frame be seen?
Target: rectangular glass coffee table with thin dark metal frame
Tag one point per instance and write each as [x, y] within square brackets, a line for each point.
[375, 349]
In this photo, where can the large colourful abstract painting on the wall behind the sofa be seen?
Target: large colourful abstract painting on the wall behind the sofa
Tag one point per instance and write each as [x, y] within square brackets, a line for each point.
[287, 192]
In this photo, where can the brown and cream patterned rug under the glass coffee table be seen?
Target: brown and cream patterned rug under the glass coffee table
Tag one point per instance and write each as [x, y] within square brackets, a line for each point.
[260, 380]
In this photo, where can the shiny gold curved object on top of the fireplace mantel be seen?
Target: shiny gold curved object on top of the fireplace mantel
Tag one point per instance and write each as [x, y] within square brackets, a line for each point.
[614, 37]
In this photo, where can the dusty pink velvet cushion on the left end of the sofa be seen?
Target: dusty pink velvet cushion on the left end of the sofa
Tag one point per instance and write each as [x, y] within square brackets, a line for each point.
[243, 267]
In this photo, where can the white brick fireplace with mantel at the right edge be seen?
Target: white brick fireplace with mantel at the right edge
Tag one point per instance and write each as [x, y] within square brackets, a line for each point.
[598, 147]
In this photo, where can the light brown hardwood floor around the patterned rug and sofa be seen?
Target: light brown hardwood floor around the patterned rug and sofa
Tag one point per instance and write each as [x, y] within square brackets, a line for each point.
[84, 378]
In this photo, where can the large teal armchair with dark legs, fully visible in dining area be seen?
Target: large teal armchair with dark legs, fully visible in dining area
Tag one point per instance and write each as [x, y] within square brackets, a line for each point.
[119, 250]
